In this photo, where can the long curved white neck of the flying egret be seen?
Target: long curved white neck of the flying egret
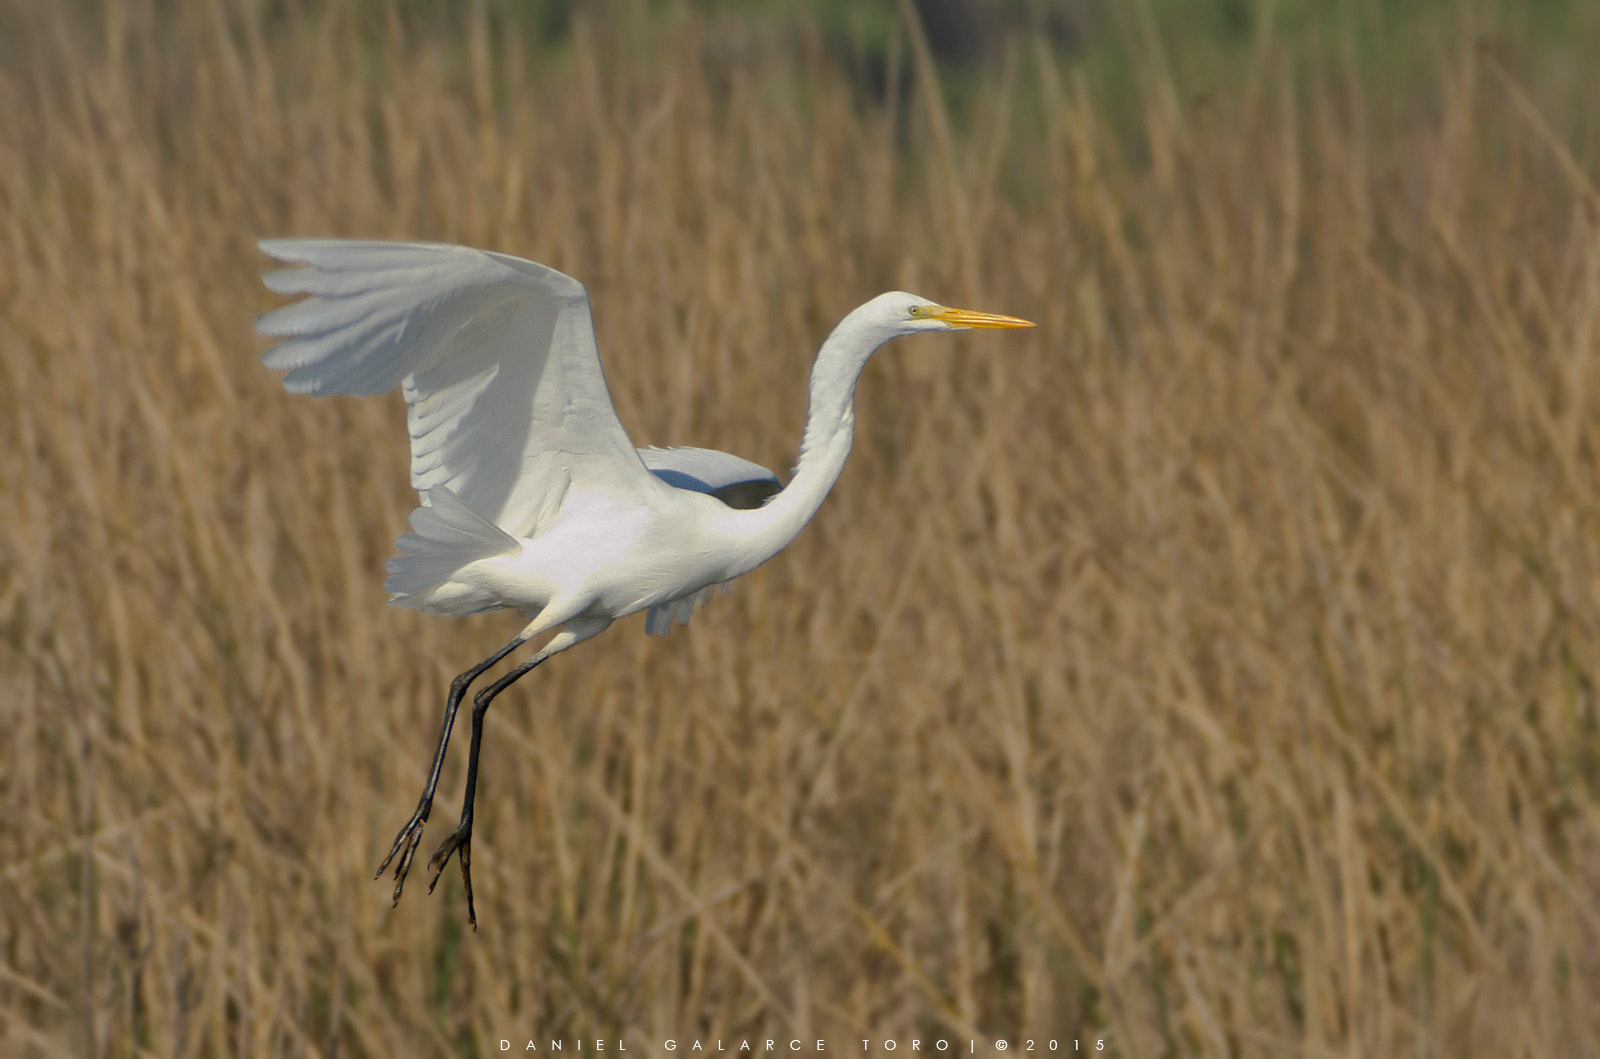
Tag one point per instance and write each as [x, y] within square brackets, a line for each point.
[830, 430]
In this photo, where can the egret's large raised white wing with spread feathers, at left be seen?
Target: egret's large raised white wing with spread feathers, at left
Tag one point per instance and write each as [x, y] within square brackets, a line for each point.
[506, 401]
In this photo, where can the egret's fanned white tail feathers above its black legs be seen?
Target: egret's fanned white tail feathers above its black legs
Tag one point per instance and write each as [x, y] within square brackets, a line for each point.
[446, 537]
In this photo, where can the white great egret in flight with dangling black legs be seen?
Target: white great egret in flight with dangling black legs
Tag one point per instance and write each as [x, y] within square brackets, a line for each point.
[534, 498]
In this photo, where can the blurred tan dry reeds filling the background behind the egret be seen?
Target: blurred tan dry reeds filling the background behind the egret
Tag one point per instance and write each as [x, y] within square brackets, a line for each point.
[1212, 669]
